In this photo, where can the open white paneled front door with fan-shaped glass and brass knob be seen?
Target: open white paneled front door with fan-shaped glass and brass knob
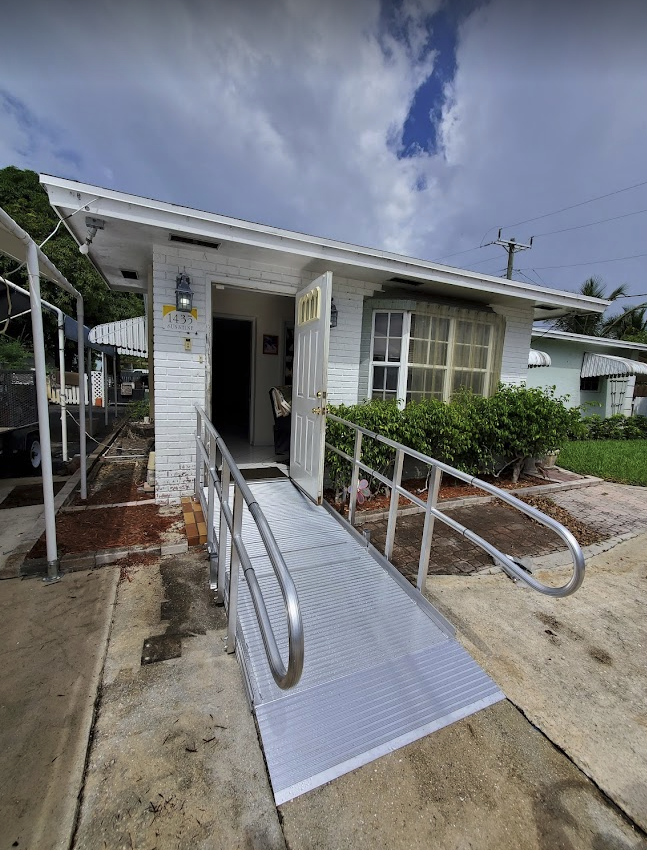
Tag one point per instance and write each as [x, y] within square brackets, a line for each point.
[310, 386]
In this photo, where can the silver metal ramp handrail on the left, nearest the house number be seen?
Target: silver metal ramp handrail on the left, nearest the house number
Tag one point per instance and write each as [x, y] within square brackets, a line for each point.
[231, 522]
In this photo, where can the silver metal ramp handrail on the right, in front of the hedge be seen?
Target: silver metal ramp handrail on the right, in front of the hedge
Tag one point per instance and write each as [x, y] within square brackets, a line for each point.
[509, 565]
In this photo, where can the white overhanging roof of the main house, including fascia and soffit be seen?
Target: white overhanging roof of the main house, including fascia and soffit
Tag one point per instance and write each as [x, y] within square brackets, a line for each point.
[135, 224]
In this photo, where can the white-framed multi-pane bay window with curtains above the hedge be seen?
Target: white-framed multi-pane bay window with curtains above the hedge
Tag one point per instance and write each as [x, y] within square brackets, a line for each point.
[432, 354]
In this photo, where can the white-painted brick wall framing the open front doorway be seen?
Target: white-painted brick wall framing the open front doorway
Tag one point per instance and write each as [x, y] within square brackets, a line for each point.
[182, 378]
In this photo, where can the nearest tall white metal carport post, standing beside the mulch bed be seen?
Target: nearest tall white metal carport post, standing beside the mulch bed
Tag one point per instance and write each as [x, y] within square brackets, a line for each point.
[53, 573]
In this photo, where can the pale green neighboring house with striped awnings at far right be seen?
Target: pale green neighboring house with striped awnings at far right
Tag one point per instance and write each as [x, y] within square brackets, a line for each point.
[602, 375]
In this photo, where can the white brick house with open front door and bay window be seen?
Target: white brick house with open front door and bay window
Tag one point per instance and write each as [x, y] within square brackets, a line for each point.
[400, 328]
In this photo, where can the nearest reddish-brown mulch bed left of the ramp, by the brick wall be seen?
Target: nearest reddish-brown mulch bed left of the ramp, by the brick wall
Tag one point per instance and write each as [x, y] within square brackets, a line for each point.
[91, 531]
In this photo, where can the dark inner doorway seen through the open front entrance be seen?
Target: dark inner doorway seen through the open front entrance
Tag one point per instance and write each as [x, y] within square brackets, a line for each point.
[231, 388]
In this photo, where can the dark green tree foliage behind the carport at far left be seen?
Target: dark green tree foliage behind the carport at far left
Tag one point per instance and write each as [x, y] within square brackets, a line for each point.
[25, 200]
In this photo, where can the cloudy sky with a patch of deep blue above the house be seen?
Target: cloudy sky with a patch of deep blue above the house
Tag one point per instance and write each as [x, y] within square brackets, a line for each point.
[414, 126]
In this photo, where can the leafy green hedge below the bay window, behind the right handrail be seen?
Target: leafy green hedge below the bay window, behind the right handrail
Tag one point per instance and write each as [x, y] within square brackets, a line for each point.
[475, 434]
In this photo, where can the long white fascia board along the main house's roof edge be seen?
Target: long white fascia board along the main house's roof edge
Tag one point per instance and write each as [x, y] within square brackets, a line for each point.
[106, 202]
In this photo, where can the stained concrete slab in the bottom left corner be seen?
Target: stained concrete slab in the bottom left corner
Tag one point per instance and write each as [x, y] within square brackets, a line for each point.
[53, 641]
